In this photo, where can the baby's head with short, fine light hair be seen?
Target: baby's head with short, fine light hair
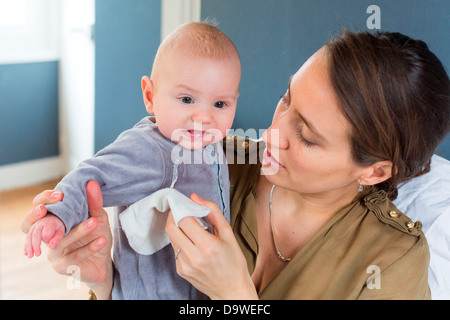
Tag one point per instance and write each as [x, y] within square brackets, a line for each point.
[194, 85]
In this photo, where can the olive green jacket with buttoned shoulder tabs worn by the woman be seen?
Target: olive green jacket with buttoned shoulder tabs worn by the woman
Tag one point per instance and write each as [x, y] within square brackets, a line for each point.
[368, 250]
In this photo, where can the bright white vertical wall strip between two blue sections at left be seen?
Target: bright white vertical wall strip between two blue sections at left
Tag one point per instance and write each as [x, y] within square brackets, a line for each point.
[77, 82]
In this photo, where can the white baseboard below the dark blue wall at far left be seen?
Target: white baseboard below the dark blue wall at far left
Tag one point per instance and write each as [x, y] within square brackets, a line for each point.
[29, 173]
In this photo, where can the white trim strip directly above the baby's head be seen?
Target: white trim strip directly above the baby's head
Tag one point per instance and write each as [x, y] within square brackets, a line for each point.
[177, 12]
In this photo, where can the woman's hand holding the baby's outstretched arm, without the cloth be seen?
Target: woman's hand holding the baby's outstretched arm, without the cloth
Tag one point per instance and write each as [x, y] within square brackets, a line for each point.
[87, 246]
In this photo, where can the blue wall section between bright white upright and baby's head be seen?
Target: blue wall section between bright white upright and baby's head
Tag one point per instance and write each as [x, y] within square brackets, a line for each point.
[127, 36]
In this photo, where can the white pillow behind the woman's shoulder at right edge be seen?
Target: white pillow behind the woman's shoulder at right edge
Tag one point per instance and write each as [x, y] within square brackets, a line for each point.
[427, 199]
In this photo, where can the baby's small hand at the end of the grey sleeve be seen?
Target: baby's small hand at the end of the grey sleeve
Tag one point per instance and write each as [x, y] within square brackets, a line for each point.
[49, 229]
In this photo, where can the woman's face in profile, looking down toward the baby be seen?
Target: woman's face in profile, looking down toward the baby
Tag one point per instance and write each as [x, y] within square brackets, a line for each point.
[308, 144]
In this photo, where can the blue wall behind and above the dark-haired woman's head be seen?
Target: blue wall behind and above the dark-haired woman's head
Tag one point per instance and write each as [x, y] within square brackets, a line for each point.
[275, 37]
